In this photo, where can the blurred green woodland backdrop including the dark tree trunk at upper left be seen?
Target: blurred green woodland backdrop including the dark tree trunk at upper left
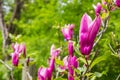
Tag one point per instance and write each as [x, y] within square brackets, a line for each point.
[38, 23]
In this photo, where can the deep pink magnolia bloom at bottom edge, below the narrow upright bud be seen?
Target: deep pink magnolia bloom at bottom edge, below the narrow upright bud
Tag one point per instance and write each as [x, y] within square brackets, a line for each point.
[72, 63]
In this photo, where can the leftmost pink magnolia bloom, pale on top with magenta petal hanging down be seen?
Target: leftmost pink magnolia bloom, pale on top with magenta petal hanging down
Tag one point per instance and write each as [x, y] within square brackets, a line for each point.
[18, 50]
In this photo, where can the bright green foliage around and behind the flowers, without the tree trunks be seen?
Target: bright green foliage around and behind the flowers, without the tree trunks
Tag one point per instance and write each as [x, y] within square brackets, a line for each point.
[40, 26]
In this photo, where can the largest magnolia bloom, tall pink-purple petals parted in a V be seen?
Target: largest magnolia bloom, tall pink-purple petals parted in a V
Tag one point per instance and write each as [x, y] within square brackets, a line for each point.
[88, 32]
